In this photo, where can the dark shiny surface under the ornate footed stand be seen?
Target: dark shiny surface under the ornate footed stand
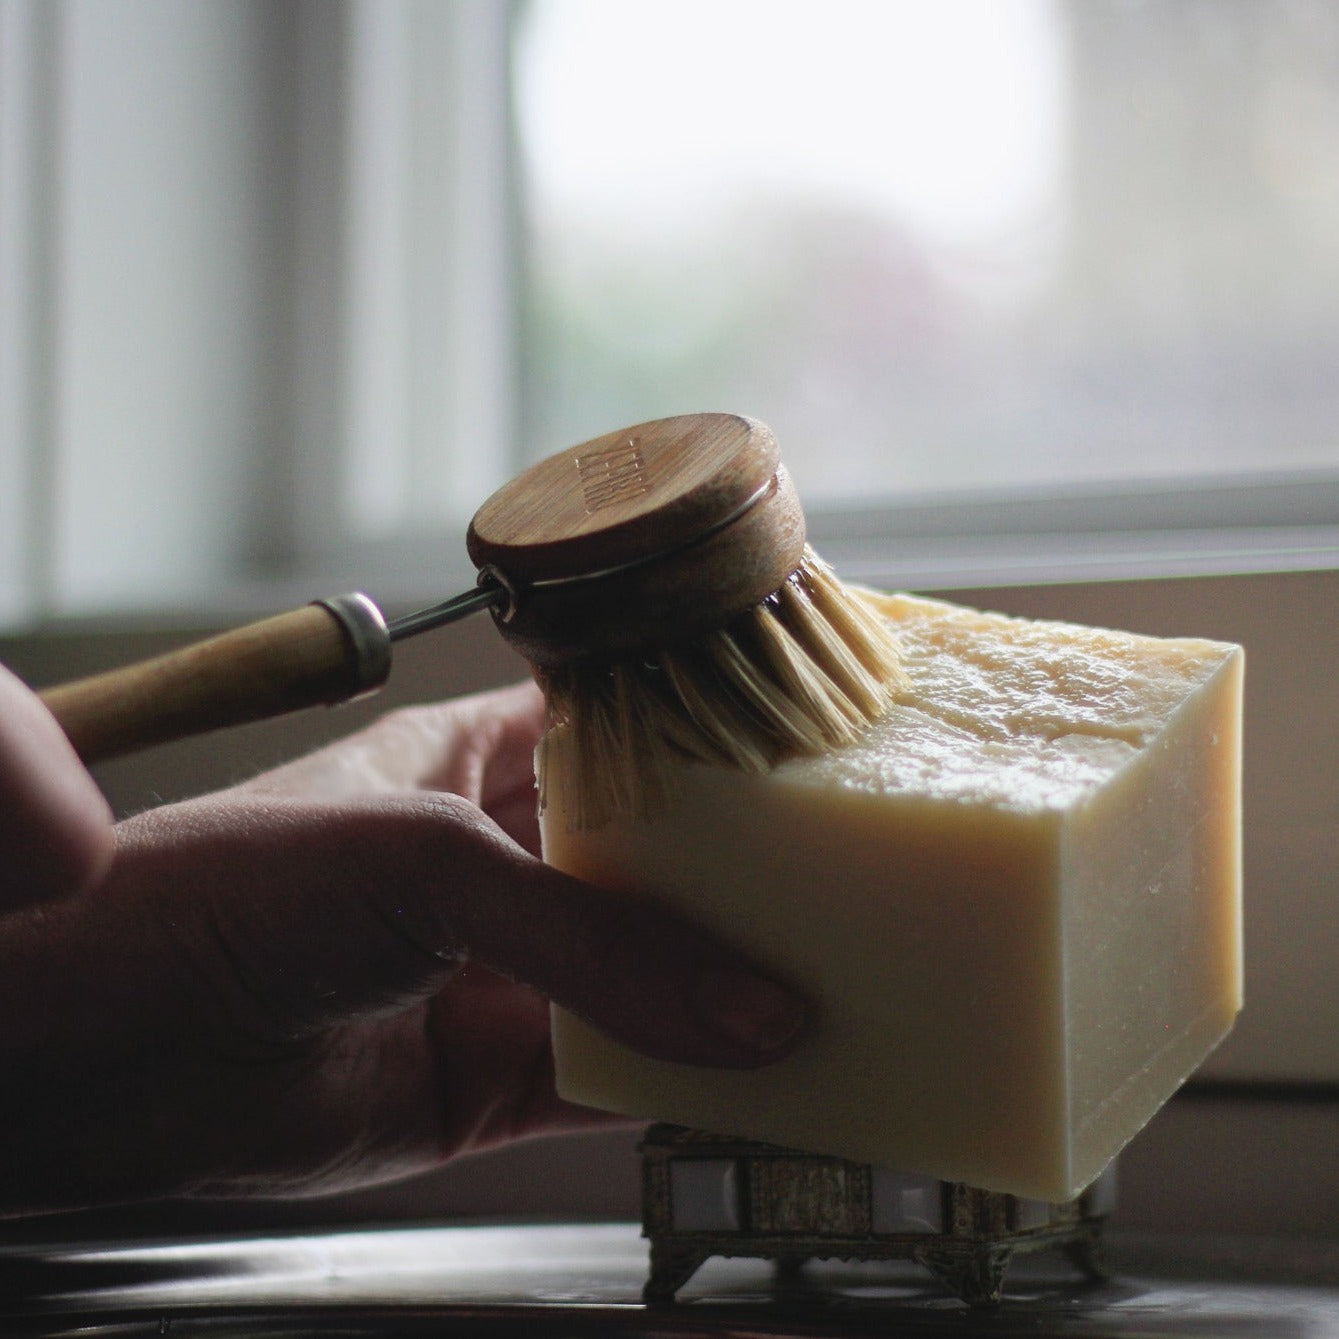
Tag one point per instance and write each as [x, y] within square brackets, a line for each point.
[586, 1281]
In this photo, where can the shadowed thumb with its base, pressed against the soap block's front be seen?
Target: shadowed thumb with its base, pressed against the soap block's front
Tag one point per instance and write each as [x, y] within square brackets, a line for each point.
[298, 917]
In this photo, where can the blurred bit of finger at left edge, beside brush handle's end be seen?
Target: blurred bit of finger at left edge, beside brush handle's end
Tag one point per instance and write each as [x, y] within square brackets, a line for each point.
[56, 827]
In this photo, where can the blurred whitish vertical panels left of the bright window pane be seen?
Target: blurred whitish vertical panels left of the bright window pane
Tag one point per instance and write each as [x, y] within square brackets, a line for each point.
[258, 274]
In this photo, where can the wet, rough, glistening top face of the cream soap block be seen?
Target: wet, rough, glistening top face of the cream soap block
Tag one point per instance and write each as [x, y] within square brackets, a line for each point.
[1010, 713]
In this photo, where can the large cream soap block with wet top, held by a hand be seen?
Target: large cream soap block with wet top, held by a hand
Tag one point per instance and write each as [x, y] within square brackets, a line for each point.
[1016, 906]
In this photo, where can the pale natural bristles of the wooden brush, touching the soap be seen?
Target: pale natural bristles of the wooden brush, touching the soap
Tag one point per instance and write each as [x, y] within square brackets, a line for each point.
[803, 673]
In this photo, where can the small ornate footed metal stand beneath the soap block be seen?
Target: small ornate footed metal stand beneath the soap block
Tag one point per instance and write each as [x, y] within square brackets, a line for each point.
[710, 1196]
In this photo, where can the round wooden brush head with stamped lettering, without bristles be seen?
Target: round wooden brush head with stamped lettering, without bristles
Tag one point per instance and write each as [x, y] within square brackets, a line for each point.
[642, 539]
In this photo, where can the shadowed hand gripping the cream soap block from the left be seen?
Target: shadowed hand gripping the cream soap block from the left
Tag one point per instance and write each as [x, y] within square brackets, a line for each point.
[311, 982]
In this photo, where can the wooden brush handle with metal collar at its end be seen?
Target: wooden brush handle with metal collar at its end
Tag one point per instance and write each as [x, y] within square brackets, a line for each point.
[325, 653]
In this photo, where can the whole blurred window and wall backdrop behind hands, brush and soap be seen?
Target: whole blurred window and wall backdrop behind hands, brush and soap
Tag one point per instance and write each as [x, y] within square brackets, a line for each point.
[1040, 297]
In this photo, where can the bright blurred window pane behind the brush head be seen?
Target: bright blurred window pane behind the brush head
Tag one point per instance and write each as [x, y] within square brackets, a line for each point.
[974, 246]
